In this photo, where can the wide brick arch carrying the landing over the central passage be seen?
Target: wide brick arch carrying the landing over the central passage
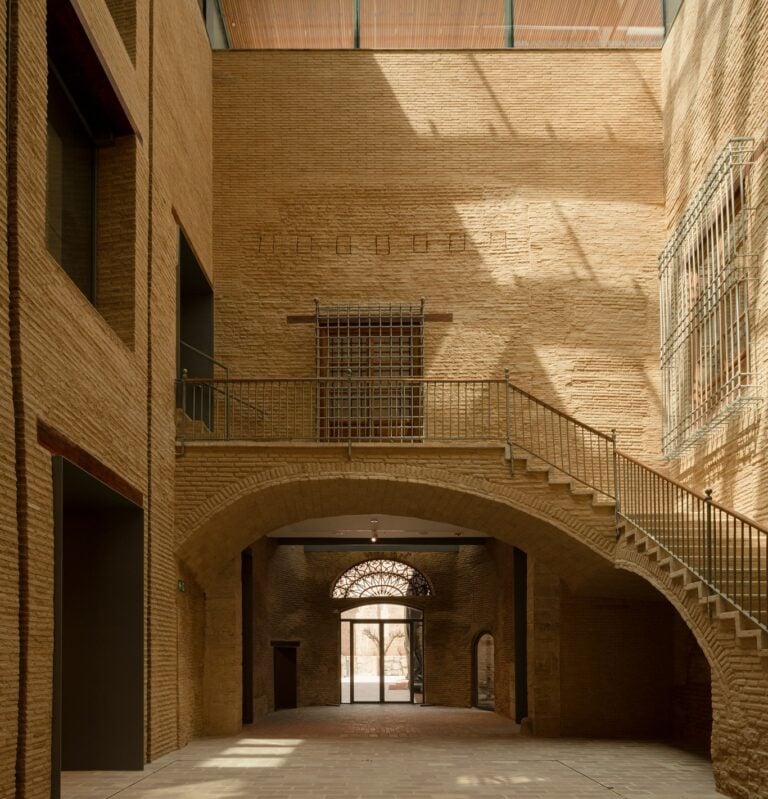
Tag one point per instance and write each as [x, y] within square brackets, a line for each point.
[558, 530]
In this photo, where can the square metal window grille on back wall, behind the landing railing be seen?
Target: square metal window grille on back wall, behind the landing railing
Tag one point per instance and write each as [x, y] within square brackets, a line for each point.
[365, 355]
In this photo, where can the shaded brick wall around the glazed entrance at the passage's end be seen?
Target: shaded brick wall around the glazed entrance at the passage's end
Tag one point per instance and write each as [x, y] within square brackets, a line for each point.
[300, 608]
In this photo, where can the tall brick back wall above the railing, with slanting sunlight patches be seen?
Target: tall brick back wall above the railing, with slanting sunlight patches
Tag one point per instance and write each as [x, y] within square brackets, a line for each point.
[485, 182]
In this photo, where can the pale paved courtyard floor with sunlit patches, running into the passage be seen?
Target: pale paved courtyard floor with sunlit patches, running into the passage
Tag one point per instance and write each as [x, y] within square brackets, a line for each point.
[407, 752]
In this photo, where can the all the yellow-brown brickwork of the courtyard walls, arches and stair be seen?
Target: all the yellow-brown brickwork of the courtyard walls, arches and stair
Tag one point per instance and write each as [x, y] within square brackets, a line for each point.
[526, 193]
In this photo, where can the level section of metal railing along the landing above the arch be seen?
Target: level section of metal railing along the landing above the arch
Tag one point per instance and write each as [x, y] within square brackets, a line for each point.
[344, 410]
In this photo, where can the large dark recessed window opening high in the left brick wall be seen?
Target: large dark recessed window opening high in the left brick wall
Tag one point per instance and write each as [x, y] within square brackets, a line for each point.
[91, 173]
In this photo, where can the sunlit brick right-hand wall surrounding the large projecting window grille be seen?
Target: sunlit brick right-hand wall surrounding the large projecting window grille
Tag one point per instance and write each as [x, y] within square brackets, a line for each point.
[714, 69]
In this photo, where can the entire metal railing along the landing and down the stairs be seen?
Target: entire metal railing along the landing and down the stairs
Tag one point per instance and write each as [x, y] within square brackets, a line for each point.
[727, 551]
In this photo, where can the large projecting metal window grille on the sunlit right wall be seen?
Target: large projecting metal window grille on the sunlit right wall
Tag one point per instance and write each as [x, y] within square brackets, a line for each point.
[705, 272]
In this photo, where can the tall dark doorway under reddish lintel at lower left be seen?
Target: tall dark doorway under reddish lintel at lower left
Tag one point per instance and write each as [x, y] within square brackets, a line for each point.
[98, 711]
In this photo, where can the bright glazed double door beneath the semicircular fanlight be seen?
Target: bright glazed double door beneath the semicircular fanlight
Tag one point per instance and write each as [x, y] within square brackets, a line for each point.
[382, 654]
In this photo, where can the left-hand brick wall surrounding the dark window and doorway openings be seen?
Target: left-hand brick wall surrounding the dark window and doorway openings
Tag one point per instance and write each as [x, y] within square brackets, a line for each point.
[86, 371]
